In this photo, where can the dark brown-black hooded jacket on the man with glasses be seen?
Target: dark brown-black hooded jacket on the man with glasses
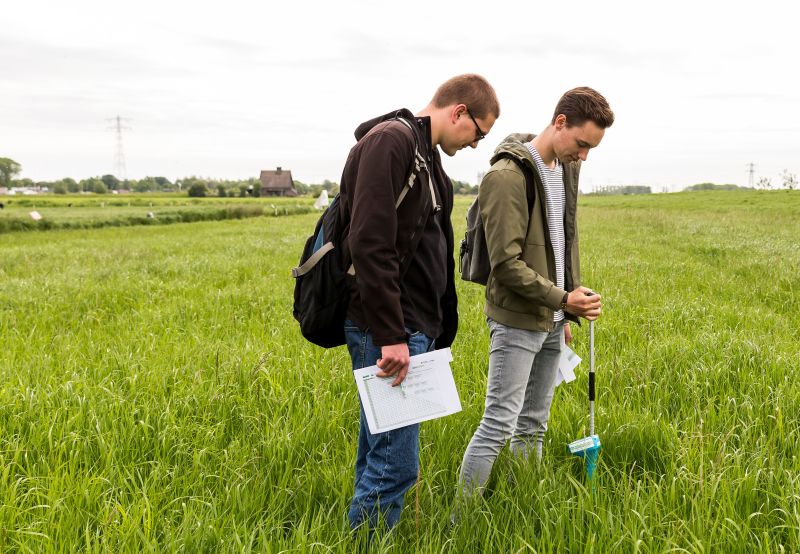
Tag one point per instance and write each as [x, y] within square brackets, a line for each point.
[391, 292]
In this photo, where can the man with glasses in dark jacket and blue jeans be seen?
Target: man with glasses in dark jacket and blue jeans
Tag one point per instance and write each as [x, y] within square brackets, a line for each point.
[402, 294]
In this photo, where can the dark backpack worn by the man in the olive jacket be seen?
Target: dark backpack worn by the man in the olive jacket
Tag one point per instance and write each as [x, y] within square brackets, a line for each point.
[473, 256]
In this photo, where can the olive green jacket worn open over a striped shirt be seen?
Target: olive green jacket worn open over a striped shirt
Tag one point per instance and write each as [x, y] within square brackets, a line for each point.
[521, 290]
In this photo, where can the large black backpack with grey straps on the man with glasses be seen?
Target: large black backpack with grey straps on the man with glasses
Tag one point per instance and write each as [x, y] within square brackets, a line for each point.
[321, 292]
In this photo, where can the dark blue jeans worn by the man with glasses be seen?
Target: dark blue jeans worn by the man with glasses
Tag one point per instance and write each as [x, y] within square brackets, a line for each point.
[387, 463]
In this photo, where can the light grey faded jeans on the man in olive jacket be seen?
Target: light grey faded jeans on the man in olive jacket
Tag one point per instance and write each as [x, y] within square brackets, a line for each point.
[522, 373]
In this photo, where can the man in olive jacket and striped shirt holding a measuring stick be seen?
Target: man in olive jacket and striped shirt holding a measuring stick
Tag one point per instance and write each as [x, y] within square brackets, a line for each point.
[534, 285]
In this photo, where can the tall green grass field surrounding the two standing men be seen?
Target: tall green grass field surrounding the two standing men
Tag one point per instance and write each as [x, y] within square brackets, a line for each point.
[155, 395]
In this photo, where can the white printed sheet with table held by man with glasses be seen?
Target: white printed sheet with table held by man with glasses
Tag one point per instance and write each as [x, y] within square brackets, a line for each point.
[428, 392]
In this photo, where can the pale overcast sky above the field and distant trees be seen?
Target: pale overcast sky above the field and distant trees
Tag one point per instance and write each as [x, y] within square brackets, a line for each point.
[219, 89]
